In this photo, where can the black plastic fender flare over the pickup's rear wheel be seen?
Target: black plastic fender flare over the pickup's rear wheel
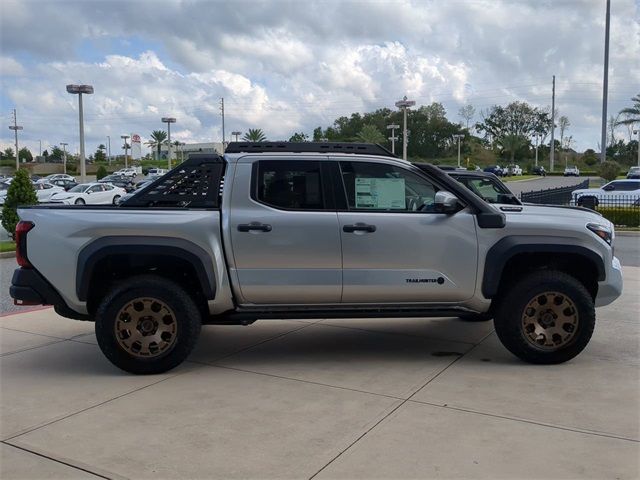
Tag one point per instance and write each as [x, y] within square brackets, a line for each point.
[185, 250]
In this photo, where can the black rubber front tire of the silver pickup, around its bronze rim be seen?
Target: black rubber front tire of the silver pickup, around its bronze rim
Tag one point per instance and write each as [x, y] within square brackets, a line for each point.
[510, 327]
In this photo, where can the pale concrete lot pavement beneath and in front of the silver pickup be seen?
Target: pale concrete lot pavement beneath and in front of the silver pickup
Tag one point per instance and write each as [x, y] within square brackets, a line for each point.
[394, 398]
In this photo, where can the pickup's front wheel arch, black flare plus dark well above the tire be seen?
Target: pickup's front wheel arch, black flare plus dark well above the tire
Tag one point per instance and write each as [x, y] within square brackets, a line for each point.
[531, 253]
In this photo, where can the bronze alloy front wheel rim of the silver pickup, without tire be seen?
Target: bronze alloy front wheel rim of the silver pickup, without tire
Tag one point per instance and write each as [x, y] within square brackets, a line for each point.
[550, 321]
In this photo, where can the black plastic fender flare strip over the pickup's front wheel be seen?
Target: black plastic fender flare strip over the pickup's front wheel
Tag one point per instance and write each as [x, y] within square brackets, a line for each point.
[508, 247]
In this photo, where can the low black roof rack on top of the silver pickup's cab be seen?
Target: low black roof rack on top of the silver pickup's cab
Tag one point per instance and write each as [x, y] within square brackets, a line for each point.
[311, 147]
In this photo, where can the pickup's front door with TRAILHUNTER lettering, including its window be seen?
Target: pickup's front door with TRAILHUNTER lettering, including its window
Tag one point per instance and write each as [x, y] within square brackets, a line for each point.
[395, 247]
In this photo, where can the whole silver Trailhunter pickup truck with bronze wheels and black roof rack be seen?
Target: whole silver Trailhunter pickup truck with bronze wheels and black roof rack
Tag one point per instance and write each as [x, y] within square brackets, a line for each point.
[280, 230]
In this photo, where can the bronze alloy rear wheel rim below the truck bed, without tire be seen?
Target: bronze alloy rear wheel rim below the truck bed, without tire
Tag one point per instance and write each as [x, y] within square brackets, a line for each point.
[146, 327]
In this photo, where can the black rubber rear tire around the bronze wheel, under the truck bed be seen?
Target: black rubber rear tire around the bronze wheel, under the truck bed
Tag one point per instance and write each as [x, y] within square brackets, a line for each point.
[186, 316]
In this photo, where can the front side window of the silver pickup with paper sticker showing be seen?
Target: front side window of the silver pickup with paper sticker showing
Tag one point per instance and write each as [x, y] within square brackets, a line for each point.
[379, 186]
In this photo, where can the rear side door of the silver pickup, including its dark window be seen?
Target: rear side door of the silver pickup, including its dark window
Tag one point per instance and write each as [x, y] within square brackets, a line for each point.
[284, 232]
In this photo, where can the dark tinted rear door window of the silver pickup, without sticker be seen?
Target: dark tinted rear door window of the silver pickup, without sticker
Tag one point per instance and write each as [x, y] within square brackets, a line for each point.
[290, 184]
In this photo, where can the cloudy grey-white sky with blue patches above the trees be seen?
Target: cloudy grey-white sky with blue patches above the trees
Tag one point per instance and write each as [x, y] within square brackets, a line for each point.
[293, 66]
